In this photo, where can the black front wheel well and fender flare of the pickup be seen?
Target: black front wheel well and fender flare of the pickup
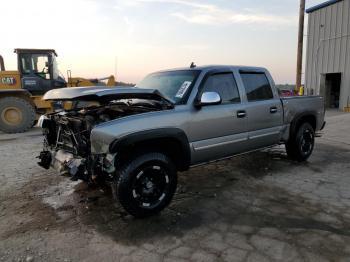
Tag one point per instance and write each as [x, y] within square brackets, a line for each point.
[171, 147]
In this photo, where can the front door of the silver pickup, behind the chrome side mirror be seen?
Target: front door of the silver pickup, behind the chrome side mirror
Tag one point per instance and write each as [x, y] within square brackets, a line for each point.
[217, 131]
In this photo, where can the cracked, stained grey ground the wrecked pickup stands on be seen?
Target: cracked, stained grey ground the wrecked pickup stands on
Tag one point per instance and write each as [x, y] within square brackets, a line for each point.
[258, 207]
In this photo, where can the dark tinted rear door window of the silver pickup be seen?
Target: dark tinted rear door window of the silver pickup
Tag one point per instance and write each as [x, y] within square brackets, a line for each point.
[257, 86]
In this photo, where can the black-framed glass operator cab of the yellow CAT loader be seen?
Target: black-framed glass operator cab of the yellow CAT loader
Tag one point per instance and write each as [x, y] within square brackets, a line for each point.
[38, 69]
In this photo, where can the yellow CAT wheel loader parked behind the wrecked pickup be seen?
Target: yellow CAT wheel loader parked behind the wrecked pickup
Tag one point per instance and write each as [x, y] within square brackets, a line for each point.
[21, 91]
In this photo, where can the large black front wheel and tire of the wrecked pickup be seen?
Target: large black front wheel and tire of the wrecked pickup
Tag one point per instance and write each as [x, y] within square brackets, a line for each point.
[147, 184]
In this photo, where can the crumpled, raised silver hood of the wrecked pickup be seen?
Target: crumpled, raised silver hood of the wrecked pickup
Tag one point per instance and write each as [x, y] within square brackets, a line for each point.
[103, 94]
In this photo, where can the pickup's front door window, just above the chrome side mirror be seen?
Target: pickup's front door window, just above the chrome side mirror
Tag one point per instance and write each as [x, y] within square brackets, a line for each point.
[225, 85]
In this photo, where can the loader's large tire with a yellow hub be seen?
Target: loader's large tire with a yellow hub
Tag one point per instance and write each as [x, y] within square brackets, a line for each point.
[17, 115]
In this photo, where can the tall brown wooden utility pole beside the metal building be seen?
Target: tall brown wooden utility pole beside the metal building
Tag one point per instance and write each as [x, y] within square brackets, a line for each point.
[300, 44]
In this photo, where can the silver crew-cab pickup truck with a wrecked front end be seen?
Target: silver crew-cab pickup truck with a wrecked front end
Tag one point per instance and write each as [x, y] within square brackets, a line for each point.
[136, 139]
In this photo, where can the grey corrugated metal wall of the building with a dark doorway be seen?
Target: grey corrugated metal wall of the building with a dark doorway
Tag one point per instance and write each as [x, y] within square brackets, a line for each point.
[328, 47]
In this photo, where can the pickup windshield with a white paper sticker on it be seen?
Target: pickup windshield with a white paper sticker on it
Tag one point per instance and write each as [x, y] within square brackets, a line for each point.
[174, 85]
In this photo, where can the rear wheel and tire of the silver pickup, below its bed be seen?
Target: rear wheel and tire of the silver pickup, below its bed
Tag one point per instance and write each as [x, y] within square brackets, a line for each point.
[301, 144]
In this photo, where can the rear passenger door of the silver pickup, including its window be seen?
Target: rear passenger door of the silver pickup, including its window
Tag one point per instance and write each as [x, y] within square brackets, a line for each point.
[264, 110]
